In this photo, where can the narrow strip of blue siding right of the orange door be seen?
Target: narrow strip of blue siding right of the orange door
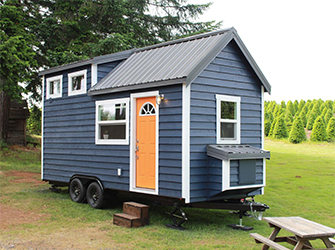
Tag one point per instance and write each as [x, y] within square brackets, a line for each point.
[170, 141]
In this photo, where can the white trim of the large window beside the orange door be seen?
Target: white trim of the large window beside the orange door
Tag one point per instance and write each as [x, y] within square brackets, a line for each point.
[97, 128]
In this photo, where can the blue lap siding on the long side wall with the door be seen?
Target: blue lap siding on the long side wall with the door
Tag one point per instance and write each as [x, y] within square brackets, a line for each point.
[69, 139]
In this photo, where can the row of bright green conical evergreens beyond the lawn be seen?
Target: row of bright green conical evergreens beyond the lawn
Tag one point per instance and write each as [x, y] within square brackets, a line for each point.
[293, 119]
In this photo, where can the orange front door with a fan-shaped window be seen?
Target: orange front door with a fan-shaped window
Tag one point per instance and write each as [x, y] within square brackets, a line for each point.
[146, 142]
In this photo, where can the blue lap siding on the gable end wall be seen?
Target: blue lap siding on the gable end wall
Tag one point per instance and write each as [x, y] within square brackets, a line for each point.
[228, 74]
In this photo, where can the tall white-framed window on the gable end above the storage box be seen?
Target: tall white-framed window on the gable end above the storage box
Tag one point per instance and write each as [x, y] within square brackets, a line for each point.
[228, 121]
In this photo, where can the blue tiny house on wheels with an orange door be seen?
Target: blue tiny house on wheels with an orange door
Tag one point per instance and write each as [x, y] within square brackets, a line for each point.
[181, 120]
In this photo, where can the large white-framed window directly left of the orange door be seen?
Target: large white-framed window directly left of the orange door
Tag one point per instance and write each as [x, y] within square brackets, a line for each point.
[112, 121]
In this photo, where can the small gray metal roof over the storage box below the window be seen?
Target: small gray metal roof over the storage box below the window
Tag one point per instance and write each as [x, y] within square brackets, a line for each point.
[228, 152]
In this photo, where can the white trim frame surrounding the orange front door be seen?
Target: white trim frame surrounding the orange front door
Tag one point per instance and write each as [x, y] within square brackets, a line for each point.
[132, 163]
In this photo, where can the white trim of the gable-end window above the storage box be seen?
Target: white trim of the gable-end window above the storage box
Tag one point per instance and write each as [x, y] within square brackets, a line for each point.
[227, 98]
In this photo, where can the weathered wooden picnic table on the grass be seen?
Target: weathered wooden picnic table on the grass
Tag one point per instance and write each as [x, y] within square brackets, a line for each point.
[304, 231]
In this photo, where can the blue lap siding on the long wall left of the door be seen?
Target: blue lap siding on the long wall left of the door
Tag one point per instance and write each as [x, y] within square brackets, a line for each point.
[69, 139]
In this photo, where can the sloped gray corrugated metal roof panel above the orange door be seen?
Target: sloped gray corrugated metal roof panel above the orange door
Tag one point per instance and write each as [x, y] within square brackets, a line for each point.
[161, 63]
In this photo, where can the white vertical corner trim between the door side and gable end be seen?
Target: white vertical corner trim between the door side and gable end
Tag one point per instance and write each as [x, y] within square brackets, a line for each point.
[186, 142]
